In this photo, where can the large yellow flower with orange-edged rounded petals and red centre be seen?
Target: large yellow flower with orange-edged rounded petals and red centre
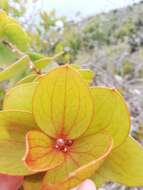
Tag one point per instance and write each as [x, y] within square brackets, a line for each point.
[58, 131]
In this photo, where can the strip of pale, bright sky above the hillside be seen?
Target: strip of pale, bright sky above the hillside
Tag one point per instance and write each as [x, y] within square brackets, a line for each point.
[86, 7]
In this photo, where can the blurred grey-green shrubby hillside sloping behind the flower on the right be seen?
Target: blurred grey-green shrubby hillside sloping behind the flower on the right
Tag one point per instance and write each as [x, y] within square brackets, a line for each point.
[112, 46]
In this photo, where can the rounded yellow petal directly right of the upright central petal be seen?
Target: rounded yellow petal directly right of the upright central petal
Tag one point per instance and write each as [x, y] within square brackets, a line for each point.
[111, 114]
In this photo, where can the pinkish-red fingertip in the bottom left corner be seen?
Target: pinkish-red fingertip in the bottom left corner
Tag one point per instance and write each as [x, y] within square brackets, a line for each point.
[10, 182]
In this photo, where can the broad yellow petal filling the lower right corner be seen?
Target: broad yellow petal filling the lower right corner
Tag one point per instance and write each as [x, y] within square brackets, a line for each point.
[124, 165]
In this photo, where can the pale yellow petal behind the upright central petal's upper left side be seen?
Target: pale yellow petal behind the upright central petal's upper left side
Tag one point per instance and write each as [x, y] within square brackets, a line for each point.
[20, 97]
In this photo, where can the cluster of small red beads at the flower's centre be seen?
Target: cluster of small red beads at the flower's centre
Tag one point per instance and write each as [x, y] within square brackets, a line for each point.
[63, 144]
